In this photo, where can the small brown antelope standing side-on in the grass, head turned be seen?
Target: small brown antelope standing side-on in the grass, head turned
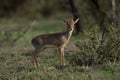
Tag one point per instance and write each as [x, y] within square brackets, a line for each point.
[58, 40]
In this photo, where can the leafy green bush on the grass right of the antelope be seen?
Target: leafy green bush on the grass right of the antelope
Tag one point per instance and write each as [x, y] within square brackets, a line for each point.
[98, 47]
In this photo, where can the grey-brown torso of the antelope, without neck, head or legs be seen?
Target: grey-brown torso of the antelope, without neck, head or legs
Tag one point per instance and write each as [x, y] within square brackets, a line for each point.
[45, 40]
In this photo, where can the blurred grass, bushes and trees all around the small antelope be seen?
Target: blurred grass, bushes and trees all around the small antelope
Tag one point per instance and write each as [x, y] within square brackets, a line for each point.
[93, 52]
